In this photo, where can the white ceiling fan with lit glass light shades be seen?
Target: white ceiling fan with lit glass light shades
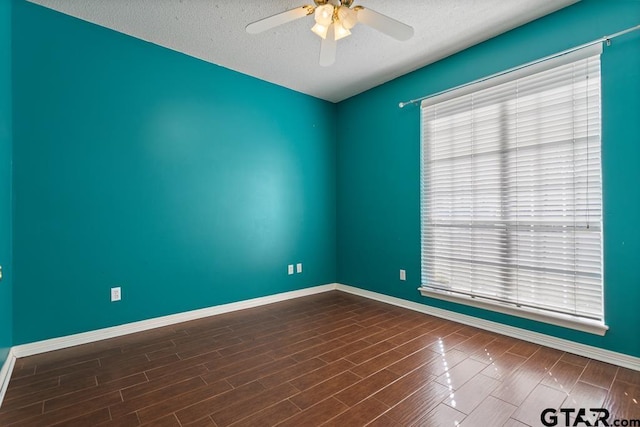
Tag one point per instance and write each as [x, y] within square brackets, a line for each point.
[333, 21]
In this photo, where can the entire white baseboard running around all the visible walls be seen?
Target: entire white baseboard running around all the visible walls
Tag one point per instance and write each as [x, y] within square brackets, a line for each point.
[30, 349]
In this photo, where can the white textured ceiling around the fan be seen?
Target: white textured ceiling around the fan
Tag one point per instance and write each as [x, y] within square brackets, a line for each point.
[214, 31]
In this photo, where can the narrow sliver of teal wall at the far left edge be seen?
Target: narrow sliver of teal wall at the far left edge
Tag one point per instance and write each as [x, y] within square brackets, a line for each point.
[6, 317]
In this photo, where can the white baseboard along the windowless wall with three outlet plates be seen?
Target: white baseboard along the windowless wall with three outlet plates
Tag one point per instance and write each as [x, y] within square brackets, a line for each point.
[144, 325]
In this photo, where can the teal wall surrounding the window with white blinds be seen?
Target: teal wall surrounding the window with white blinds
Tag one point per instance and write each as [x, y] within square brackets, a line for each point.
[379, 165]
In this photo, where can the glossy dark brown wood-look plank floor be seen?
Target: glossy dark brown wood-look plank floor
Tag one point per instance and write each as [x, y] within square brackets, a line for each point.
[328, 359]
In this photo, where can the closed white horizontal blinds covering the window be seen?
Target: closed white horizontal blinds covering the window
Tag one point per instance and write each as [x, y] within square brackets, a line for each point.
[511, 188]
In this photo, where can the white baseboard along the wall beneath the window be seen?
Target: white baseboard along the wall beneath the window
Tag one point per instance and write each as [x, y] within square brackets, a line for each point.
[596, 353]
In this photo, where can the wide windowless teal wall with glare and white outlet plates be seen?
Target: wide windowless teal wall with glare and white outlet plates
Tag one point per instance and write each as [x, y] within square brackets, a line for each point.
[187, 184]
